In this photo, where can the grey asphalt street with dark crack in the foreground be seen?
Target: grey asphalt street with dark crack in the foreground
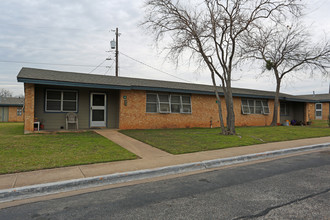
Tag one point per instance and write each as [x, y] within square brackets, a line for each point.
[288, 188]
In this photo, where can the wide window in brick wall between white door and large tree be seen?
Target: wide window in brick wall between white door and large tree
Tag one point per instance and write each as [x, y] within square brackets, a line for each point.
[168, 103]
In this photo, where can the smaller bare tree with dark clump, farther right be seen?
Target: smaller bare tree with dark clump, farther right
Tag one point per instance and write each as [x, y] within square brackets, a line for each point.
[287, 49]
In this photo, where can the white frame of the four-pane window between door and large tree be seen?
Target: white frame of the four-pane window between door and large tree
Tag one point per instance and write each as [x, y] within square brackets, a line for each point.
[169, 103]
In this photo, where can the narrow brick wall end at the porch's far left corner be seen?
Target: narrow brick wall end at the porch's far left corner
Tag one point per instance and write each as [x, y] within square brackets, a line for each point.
[29, 108]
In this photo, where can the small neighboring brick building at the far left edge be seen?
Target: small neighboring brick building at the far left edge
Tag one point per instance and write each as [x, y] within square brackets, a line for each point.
[11, 109]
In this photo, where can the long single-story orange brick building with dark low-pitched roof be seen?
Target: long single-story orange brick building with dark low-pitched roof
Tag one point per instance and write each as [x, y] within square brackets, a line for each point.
[131, 103]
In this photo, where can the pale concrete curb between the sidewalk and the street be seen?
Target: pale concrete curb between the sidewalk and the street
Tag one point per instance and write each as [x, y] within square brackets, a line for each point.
[76, 184]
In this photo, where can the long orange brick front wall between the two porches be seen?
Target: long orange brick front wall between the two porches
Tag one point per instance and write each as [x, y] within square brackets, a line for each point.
[204, 107]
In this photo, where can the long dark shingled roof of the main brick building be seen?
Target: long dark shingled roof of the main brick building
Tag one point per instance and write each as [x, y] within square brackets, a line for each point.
[51, 77]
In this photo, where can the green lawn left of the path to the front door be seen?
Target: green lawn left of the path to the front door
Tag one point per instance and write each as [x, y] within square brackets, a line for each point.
[19, 152]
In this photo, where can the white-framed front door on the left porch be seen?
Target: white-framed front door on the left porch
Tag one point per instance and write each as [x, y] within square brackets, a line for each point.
[98, 110]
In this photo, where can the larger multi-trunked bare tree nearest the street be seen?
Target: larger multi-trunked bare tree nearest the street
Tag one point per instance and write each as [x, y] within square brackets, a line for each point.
[212, 30]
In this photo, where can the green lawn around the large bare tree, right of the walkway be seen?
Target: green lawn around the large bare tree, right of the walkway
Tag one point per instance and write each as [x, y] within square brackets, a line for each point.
[180, 141]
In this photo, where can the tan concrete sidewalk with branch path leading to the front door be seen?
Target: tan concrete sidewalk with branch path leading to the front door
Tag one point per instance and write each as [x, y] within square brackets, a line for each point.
[150, 158]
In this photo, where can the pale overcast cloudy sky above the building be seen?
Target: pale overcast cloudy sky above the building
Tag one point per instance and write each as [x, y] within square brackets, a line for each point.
[75, 36]
